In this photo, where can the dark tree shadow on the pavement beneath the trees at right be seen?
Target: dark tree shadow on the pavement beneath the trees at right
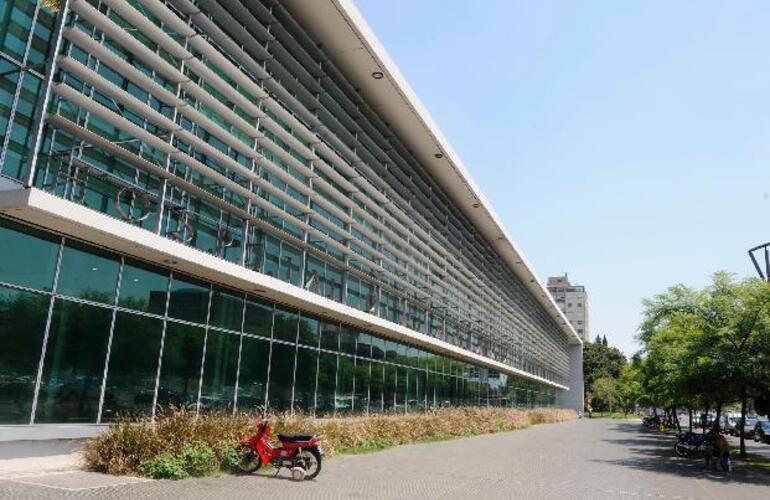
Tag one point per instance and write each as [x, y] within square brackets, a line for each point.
[654, 452]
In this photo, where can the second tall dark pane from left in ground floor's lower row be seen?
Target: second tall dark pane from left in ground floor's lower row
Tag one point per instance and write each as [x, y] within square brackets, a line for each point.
[74, 363]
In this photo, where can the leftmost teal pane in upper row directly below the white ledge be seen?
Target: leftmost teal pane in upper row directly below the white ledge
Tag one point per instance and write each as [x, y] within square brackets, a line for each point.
[28, 257]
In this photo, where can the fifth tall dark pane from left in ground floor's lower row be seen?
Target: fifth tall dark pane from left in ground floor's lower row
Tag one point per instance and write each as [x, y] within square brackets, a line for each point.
[220, 371]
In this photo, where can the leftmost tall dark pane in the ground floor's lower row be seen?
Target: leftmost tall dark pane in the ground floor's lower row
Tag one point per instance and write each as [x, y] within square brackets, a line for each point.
[20, 352]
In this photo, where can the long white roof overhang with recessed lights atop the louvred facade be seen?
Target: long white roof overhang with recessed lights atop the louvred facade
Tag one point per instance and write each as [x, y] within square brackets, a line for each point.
[354, 48]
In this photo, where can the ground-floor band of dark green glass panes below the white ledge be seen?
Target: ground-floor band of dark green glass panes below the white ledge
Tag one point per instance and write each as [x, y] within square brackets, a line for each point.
[86, 353]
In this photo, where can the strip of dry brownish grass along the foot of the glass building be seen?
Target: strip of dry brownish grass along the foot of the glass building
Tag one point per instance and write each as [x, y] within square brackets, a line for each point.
[129, 442]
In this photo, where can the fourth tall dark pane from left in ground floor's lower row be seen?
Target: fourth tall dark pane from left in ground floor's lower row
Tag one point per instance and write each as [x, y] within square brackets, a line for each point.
[181, 366]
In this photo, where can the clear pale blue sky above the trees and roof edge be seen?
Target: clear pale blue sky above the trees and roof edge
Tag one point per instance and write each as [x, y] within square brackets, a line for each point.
[625, 143]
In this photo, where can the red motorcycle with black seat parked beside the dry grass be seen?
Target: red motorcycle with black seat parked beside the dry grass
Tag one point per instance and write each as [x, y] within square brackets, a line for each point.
[299, 452]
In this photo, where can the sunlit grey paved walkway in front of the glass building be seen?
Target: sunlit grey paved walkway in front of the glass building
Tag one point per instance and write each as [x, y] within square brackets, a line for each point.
[585, 459]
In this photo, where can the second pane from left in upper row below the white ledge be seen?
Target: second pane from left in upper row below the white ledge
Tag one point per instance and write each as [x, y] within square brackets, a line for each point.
[88, 273]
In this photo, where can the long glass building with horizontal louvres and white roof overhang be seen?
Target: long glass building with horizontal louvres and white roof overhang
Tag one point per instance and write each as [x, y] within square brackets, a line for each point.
[230, 204]
